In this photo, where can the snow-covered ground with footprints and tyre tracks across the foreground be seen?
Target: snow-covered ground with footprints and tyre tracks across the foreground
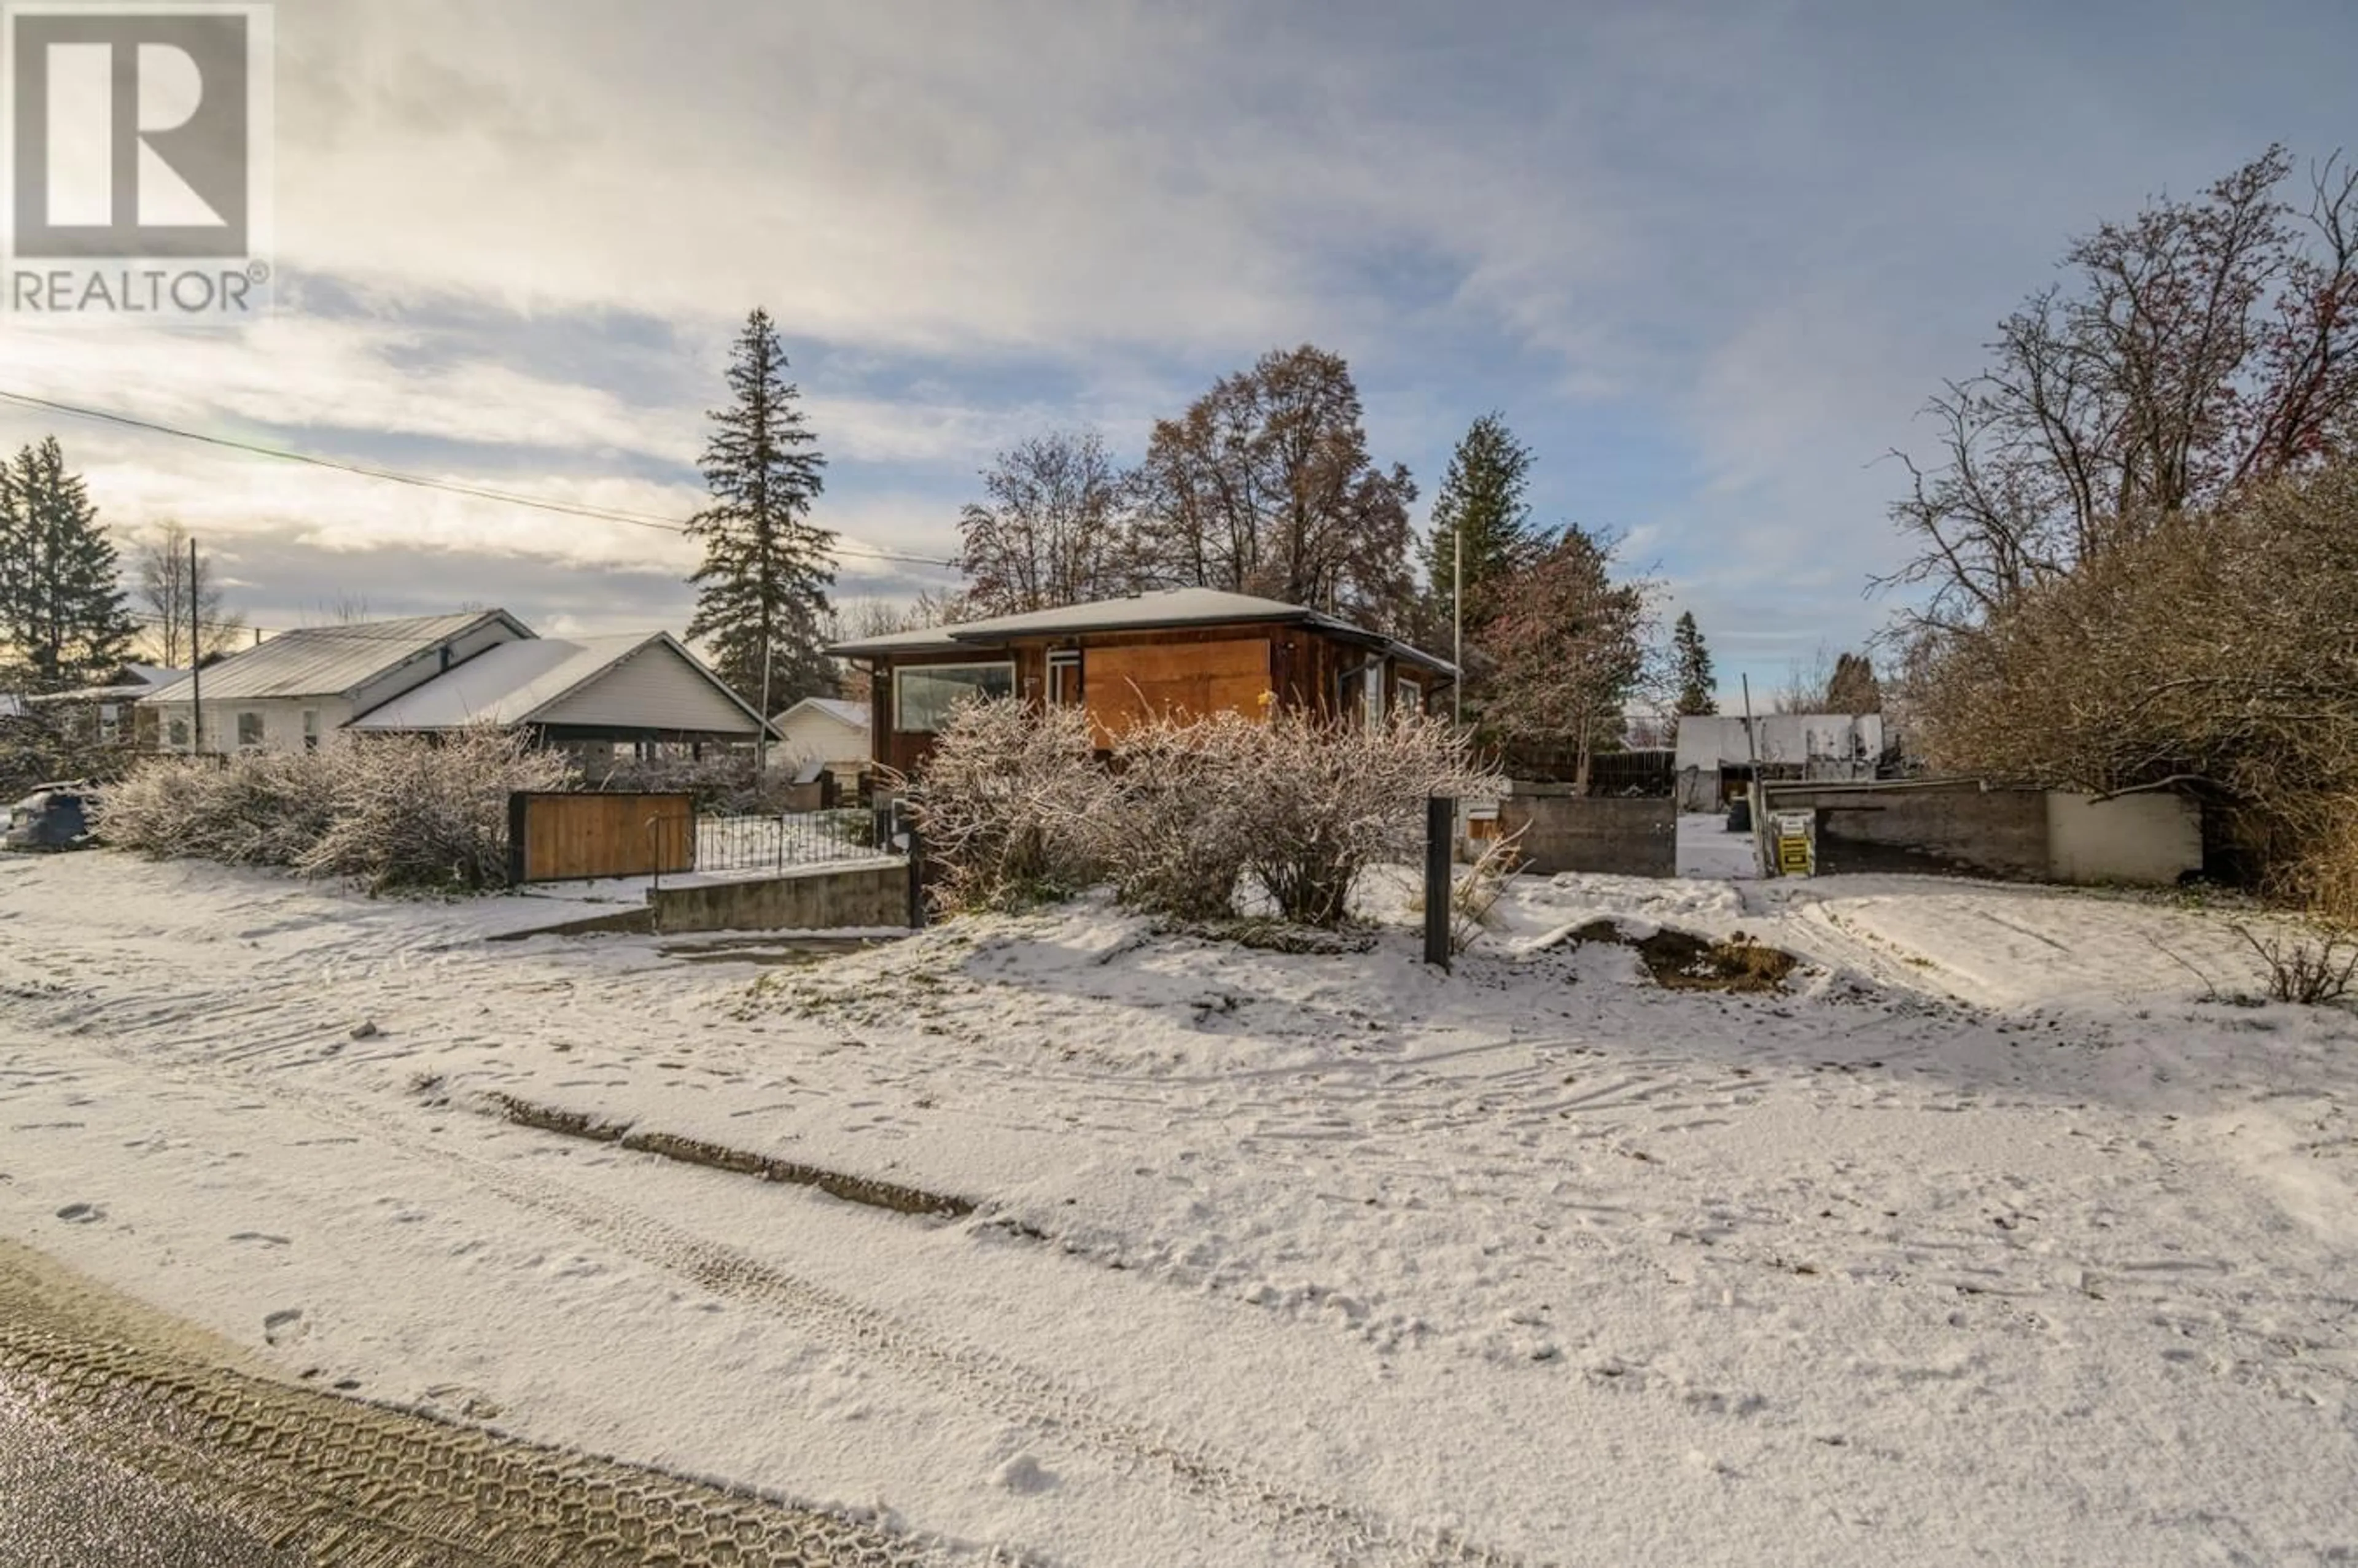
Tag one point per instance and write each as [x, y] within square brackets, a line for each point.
[1987, 1241]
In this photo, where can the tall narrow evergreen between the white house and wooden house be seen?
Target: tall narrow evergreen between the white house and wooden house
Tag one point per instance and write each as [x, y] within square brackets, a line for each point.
[763, 591]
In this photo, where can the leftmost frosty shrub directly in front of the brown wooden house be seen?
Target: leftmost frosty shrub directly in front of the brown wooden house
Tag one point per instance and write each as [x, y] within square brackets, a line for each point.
[1008, 805]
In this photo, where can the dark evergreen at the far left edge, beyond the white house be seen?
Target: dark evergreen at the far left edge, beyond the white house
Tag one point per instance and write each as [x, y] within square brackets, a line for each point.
[62, 614]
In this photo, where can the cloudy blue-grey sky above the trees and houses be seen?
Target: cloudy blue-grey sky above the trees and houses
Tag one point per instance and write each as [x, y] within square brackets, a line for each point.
[1706, 261]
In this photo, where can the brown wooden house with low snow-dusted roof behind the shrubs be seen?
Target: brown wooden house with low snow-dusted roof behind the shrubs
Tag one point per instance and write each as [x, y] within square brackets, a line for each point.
[1185, 652]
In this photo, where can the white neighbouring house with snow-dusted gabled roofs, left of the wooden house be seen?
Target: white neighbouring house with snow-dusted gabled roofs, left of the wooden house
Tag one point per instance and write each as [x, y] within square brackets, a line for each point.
[440, 673]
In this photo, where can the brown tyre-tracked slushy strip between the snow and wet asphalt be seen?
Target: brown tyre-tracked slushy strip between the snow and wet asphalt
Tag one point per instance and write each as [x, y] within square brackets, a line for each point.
[367, 1487]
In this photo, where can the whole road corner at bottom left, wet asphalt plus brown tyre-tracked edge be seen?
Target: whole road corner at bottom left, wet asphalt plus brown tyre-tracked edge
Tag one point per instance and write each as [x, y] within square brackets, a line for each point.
[131, 1442]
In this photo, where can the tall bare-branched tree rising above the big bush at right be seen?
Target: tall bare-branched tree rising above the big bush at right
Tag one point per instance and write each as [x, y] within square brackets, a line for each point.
[2204, 348]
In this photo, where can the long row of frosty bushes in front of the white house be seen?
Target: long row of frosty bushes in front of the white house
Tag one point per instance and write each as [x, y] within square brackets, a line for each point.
[390, 812]
